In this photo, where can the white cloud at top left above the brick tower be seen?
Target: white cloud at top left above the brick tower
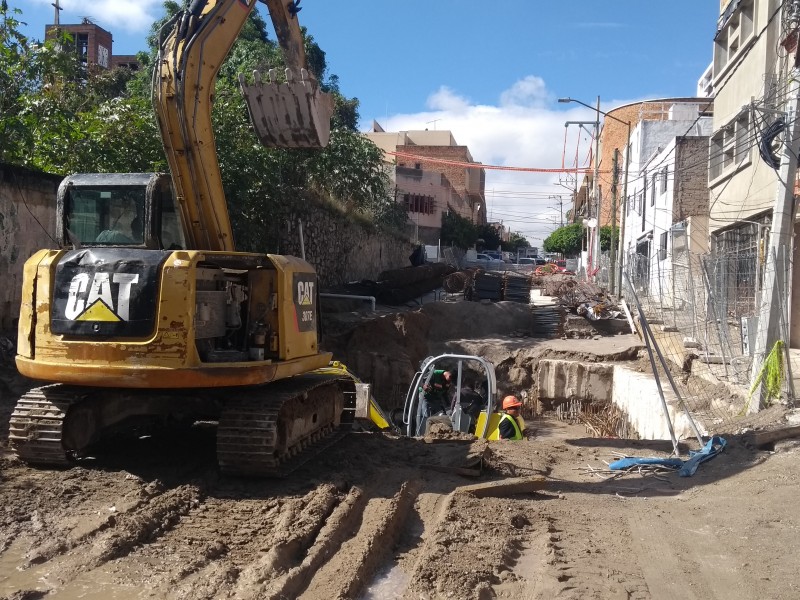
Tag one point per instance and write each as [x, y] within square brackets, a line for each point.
[132, 16]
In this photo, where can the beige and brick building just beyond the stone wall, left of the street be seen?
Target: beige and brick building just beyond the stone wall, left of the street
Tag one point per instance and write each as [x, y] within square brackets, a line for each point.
[432, 175]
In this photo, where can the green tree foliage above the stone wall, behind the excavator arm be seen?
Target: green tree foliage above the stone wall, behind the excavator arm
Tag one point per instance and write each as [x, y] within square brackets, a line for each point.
[56, 117]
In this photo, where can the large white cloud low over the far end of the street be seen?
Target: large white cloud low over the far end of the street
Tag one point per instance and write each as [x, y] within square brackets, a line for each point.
[521, 131]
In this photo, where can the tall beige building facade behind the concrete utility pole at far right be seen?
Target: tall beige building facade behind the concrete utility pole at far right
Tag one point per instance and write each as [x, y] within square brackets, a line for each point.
[755, 48]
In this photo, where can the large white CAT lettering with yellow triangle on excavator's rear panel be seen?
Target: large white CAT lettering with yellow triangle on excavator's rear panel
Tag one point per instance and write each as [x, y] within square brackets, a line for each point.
[91, 299]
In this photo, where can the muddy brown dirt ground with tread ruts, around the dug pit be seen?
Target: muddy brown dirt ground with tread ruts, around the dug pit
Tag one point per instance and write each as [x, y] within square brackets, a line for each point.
[377, 516]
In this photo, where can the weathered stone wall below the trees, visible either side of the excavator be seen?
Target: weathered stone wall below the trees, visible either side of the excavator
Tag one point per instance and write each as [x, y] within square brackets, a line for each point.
[339, 247]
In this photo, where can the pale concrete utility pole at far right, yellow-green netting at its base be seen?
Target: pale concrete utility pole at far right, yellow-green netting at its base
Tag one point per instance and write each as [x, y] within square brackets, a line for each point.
[780, 239]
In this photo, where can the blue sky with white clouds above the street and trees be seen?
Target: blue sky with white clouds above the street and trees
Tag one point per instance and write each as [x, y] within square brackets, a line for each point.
[490, 72]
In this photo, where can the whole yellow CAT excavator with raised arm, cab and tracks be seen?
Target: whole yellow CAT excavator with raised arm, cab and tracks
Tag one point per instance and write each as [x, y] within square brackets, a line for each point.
[148, 312]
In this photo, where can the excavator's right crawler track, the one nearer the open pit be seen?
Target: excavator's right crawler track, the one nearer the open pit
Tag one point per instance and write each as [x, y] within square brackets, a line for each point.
[272, 430]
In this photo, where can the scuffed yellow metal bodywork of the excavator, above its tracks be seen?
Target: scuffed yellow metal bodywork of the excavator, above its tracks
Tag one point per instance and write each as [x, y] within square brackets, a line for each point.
[168, 356]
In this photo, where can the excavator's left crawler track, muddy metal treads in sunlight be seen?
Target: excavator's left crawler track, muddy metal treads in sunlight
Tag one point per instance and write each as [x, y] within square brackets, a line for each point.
[37, 424]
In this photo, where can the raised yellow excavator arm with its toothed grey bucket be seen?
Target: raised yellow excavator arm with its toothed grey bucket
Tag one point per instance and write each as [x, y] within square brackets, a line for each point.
[192, 47]
